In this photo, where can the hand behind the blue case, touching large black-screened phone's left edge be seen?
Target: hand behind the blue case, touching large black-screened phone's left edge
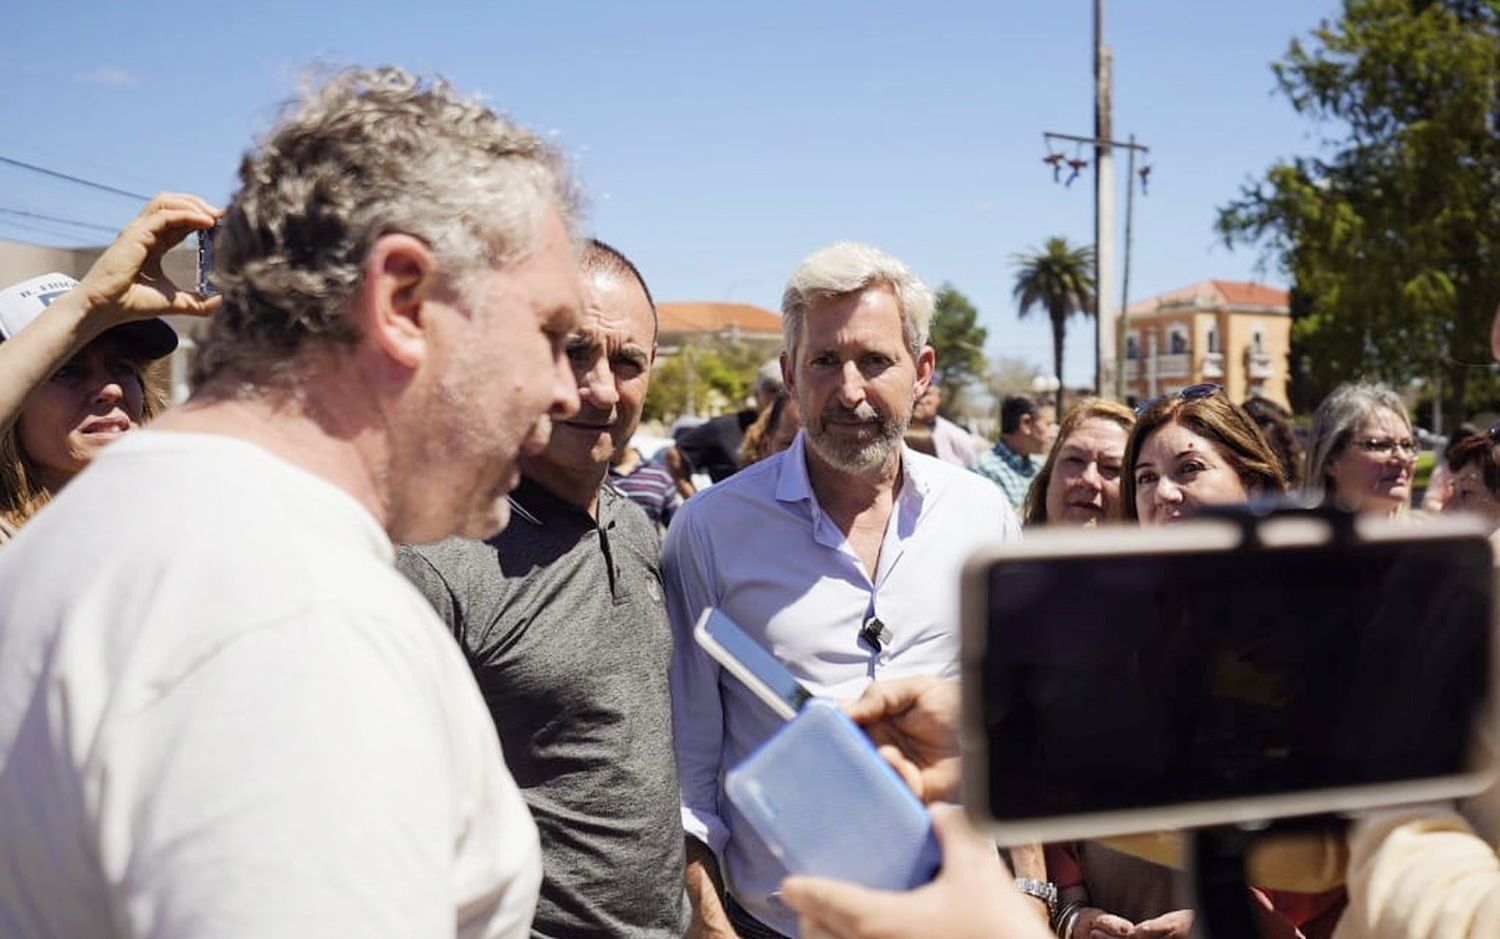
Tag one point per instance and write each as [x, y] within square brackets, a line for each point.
[916, 725]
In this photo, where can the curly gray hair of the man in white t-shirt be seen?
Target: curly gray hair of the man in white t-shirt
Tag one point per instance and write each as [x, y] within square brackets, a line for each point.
[368, 154]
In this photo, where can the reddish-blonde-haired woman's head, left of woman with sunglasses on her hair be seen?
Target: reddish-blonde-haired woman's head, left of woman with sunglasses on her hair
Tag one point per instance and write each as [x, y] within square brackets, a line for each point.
[1081, 482]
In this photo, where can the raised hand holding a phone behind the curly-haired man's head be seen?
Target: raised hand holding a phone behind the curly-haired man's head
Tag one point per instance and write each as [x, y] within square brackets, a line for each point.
[128, 283]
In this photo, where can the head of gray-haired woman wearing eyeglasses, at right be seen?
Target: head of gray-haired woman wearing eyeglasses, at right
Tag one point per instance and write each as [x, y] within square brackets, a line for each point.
[1361, 454]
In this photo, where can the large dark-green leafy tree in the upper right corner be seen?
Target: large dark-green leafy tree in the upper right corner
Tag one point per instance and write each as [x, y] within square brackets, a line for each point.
[1390, 233]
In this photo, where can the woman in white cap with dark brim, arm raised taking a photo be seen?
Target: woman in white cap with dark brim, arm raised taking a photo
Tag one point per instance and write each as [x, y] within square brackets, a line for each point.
[74, 355]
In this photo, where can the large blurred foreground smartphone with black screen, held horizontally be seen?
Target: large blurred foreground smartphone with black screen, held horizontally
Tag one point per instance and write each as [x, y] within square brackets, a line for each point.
[1225, 671]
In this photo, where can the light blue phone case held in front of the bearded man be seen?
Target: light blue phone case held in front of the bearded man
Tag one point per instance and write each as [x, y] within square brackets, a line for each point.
[829, 805]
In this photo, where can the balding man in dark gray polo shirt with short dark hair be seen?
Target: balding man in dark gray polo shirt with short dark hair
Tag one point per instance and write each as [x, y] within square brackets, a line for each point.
[563, 623]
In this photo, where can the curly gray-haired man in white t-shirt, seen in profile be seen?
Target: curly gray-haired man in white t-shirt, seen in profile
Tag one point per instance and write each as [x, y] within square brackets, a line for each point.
[223, 712]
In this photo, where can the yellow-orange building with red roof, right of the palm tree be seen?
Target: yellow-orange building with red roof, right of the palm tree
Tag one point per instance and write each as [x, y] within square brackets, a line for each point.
[1228, 332]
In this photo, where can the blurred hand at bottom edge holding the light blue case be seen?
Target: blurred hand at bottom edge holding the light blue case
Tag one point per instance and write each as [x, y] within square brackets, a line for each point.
[971, 899]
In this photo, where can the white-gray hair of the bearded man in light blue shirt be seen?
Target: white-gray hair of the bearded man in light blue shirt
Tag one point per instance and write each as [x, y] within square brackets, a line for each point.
[847, 268]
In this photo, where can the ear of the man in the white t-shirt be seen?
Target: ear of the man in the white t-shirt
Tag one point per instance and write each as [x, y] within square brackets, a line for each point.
[400, 280]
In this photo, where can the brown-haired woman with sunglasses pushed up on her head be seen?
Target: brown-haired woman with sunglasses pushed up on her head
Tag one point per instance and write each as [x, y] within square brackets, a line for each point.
[1193, 449]
